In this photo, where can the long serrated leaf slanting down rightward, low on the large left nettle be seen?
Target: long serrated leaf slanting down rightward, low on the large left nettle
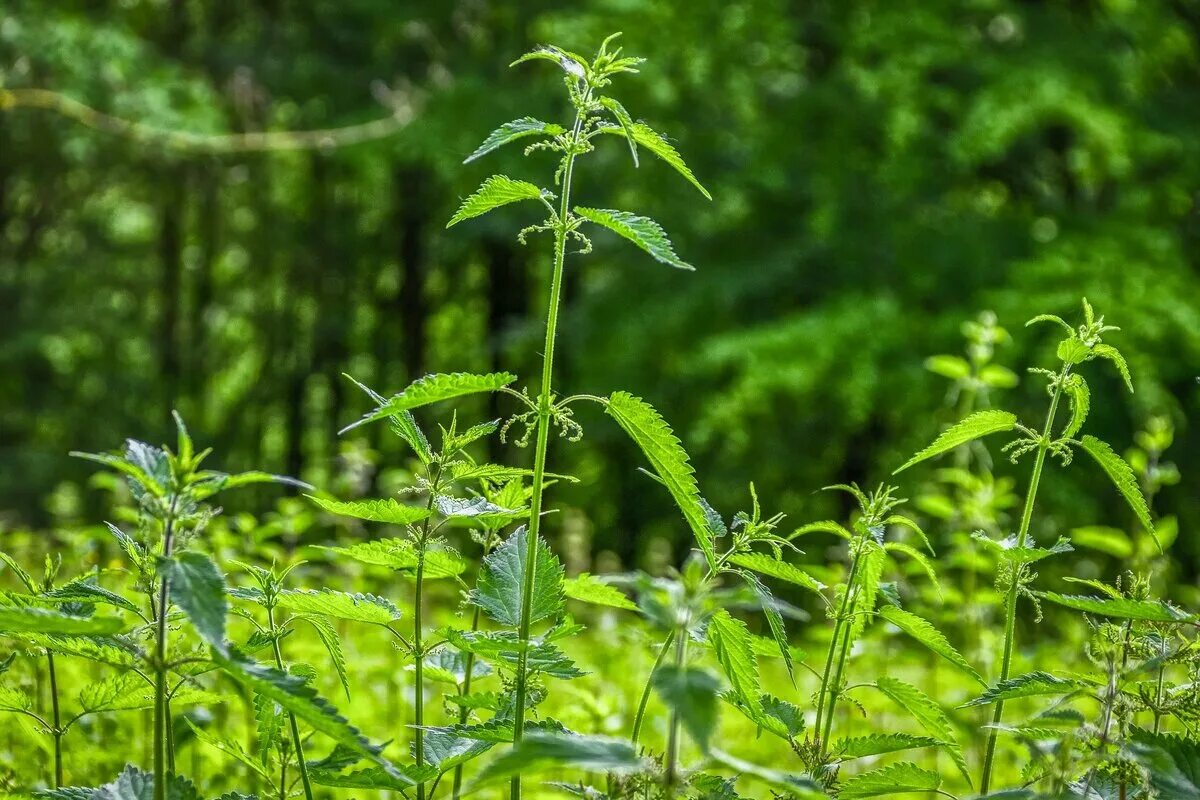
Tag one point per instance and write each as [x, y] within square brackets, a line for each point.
[293, 694]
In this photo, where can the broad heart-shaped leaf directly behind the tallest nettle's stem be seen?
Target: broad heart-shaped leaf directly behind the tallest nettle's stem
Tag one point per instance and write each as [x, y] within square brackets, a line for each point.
[502, 580]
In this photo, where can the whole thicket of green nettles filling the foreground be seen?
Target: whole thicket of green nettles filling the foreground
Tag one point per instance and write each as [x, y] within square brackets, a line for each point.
[184, 630]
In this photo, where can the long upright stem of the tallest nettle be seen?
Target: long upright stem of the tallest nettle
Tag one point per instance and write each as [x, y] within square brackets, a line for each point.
[545, 400]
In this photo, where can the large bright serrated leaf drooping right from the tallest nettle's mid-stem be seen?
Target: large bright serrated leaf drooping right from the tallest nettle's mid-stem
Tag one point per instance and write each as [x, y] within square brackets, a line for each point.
[667, 455]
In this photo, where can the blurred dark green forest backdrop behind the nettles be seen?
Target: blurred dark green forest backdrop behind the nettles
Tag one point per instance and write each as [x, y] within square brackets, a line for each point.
[881, 173]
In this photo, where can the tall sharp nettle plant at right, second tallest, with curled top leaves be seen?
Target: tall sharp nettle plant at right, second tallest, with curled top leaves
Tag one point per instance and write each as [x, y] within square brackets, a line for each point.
[1018, 554]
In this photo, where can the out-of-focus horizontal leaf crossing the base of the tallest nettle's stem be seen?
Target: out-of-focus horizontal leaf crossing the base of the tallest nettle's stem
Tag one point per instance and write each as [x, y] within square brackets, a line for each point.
[539, 751]
